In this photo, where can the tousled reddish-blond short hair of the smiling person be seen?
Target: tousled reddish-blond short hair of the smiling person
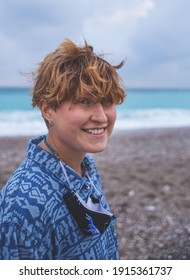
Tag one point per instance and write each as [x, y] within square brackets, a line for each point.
[71, 69]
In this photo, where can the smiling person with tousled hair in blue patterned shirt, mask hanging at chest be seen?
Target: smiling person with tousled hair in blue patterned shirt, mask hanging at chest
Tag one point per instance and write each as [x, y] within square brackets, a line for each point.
[53, 206]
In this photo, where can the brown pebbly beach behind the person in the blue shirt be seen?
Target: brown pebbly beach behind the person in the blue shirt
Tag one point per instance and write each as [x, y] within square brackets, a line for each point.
[146, 179]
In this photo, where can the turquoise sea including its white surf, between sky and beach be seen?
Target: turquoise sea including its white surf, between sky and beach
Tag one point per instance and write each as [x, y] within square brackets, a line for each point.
[143, 108]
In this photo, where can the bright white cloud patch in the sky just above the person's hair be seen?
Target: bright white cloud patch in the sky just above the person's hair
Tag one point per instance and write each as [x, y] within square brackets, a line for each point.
[114, 27]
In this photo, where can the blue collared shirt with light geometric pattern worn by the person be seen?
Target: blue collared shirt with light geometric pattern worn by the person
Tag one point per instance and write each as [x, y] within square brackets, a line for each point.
[34, 220]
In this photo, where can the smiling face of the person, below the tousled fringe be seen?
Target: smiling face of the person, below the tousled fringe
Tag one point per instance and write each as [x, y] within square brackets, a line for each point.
[83, 127]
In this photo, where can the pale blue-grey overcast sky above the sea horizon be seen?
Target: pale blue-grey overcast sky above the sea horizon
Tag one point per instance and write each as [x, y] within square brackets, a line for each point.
[152, 35]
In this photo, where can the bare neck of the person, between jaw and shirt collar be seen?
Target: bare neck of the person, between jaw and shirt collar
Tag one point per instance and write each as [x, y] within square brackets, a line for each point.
[73, 161]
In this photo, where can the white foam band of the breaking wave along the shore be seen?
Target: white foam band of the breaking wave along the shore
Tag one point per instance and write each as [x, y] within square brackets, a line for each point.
[21, 123]
